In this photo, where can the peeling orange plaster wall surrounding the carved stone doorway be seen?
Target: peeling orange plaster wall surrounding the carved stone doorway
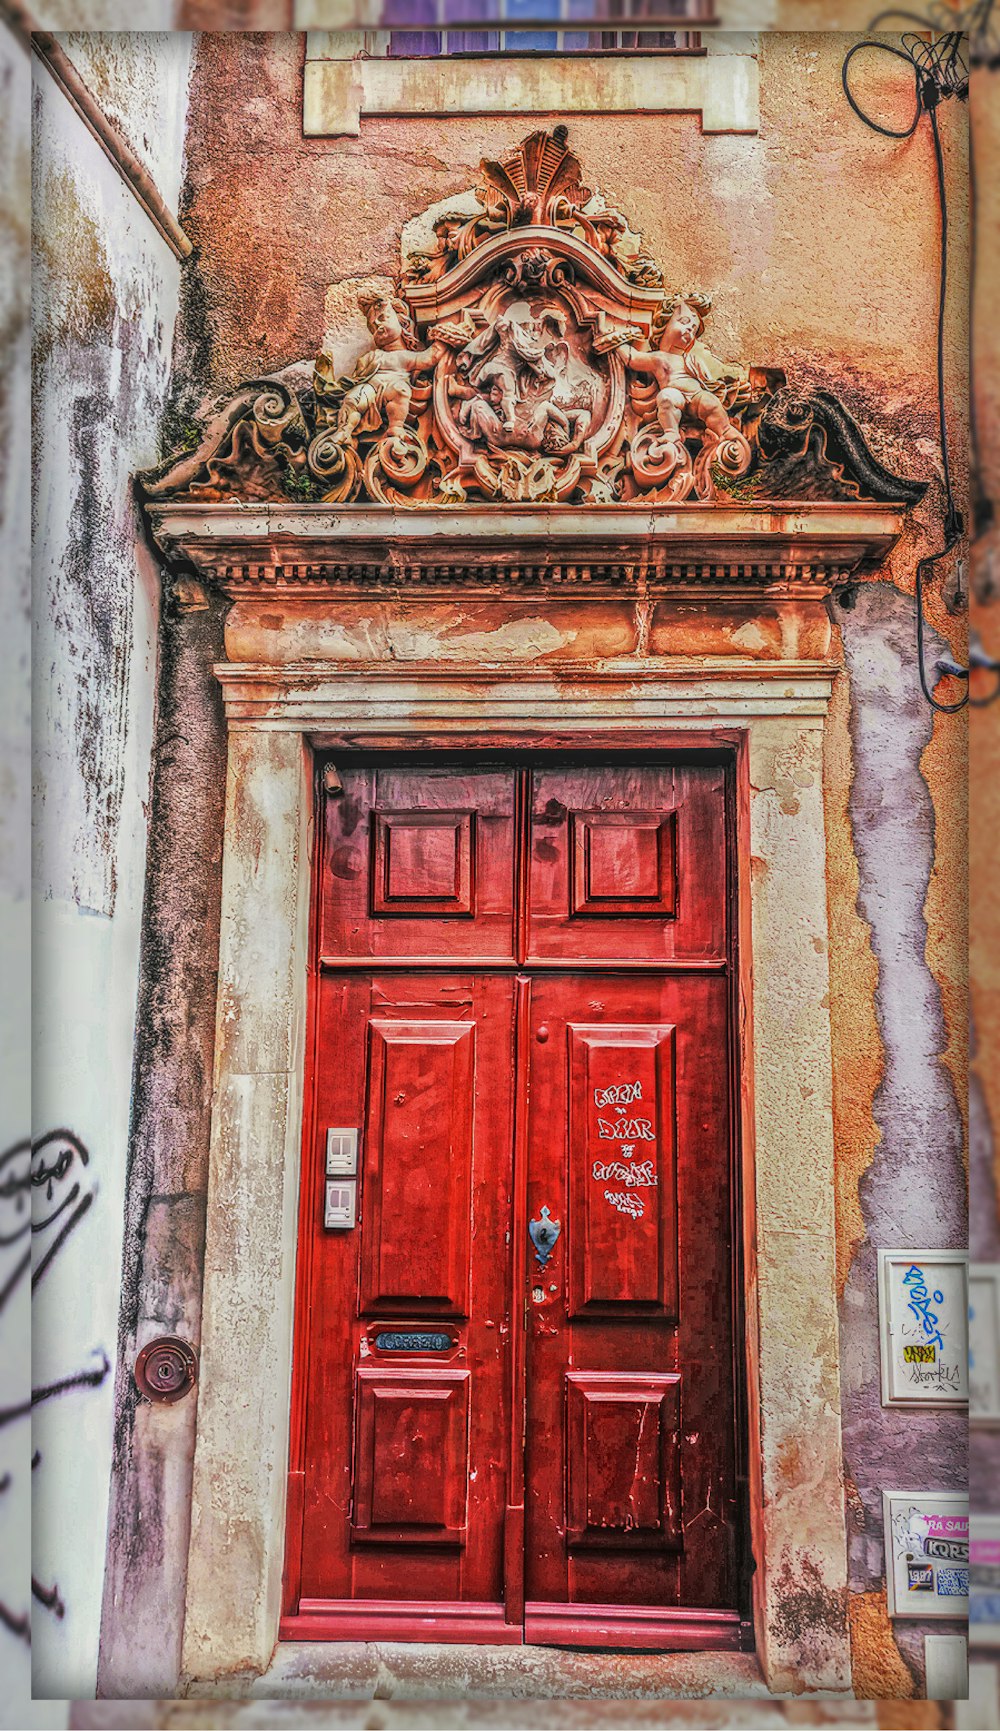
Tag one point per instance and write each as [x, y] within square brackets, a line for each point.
[819, 245]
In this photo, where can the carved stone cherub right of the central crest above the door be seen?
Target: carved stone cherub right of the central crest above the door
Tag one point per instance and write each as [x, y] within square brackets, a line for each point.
[689, 378]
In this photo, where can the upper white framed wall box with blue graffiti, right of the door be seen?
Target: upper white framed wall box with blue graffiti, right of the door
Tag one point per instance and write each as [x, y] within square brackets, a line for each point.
[925, 1327]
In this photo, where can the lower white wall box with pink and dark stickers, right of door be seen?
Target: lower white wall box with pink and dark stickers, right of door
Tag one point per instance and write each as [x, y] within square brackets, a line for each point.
[926, 1554]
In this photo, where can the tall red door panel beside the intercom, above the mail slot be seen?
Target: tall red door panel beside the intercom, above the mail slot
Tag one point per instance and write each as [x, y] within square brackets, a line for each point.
[418, 1187]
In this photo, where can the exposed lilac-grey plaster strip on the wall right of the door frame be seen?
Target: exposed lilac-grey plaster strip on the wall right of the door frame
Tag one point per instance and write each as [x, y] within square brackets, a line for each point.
[913, 1194]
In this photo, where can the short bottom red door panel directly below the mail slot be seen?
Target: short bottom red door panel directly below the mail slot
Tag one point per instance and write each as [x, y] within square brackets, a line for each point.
[411, 1457]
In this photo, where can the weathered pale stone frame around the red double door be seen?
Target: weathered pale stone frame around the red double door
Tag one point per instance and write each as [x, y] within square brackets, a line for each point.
[774, 717]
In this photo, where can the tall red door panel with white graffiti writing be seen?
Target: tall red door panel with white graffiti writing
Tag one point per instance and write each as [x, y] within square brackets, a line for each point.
[620, 1142]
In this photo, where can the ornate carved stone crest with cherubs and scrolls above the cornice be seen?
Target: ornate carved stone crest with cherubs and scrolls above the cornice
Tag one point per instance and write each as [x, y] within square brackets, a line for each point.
[532, 354]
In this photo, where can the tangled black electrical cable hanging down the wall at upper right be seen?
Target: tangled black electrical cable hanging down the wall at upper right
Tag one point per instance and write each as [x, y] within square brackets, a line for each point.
[940, 72]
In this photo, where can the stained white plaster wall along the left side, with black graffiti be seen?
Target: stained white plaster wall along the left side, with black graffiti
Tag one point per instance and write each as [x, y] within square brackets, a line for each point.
[105, 306]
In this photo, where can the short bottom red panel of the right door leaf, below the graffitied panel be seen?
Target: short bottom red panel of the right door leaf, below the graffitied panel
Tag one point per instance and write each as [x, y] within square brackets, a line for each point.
[624, 1460]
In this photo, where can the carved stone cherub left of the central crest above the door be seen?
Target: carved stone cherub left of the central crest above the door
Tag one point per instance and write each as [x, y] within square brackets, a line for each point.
[378, 396]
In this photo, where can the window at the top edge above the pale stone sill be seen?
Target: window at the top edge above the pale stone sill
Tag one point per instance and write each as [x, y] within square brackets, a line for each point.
[420, 29]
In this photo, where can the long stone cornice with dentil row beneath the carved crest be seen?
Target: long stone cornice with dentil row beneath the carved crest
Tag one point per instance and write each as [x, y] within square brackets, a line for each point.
[705, 550]
